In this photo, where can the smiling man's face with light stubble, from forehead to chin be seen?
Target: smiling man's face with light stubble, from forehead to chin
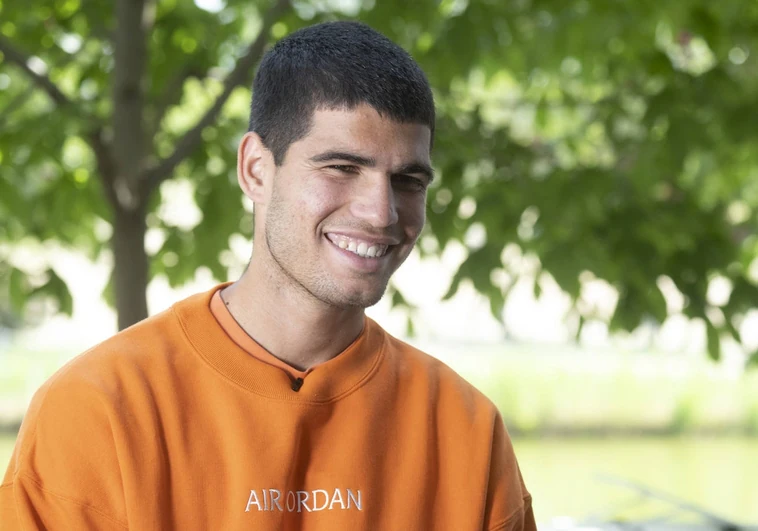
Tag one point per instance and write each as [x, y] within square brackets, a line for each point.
[347, 205]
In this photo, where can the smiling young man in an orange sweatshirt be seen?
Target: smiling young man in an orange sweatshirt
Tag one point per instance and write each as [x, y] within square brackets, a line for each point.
[274, 402]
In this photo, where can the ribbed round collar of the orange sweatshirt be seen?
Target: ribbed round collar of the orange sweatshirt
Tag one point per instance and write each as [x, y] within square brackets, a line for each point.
[328, 382]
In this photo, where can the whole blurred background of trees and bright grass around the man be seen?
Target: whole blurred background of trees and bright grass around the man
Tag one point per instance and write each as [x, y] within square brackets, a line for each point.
[591, 255]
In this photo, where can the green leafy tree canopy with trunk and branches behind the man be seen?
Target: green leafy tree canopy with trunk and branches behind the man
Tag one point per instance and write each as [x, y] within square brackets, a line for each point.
[609, 140]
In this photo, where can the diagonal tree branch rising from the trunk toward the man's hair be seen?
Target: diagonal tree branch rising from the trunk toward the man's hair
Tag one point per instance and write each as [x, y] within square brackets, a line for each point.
[189, 142]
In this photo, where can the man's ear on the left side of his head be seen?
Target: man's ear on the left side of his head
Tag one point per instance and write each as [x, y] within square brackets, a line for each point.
[255, 168]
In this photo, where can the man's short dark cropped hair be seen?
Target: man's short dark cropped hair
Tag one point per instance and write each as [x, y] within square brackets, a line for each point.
[330, 66]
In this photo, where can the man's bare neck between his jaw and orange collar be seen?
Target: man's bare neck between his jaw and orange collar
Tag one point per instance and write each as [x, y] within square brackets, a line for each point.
[288, 321]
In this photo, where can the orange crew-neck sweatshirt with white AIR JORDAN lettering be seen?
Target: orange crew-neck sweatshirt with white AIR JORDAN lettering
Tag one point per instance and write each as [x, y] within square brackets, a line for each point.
[172, 425]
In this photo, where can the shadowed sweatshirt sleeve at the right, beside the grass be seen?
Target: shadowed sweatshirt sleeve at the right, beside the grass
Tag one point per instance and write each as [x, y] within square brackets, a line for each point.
[509, 504]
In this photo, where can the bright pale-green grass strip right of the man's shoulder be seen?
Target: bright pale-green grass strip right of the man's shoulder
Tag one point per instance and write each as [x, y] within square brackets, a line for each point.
[605, 393]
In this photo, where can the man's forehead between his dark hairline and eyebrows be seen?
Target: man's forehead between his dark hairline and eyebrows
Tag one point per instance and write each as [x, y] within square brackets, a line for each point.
[362, 130]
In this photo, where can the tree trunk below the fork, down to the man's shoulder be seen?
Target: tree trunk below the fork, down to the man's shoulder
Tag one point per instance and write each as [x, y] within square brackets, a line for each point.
[129, 266]
